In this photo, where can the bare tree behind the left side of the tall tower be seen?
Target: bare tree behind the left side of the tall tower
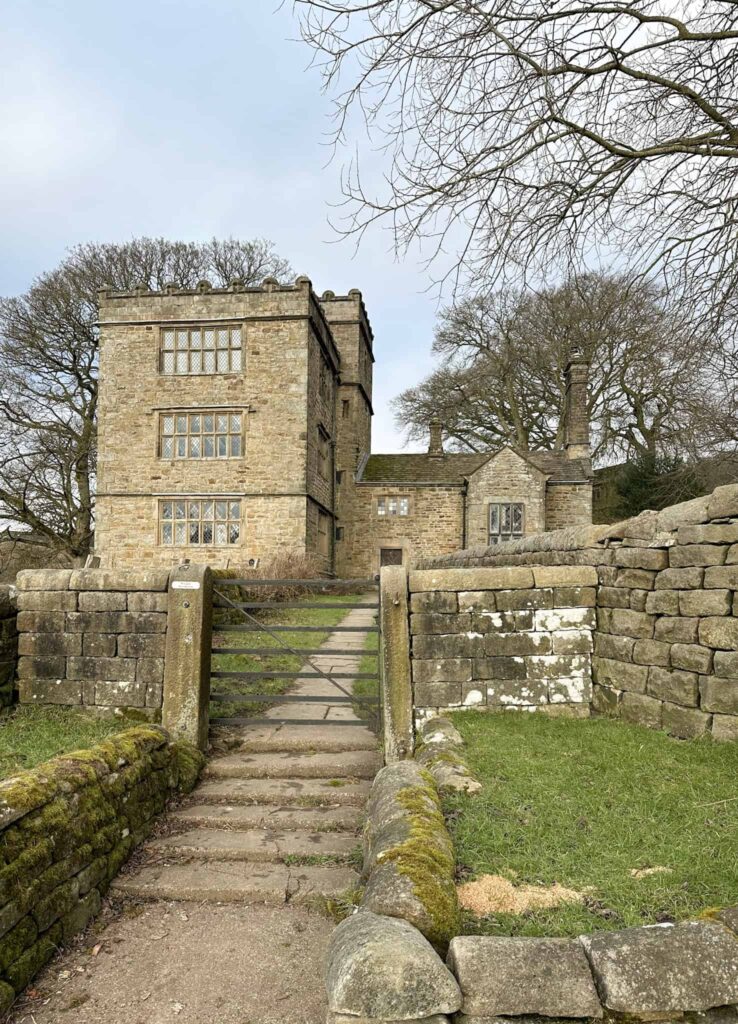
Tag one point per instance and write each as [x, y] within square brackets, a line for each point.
[49, 374]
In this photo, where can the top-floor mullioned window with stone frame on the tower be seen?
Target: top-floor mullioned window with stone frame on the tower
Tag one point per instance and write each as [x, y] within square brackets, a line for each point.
[189, 344]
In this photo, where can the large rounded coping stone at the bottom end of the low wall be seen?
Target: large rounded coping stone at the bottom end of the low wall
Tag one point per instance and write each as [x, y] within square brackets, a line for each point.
[383, 968]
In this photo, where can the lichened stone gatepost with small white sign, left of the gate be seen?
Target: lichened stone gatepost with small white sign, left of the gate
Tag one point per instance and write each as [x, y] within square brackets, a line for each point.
[187, 667]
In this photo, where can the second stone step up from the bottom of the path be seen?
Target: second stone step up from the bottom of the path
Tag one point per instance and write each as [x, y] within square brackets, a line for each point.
[255, 844]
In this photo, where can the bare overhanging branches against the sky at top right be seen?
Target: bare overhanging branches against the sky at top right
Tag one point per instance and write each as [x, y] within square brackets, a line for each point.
[525, 135]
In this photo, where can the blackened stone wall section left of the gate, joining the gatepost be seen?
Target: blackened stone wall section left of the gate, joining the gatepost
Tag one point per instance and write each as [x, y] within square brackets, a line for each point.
[93, 637]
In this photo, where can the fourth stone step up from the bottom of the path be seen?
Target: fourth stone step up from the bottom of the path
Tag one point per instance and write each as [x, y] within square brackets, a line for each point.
[289, 791]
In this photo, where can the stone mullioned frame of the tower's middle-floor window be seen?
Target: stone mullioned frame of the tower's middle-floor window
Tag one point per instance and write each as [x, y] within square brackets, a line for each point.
[232, 437]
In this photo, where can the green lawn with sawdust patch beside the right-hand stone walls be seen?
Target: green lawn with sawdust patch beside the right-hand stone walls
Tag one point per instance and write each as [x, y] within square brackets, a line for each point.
[583, 803]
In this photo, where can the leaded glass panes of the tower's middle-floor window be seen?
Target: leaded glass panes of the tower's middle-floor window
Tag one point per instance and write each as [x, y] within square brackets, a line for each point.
[201, 435]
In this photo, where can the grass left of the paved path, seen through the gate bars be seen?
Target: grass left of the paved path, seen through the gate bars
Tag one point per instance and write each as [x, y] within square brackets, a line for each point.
[281, 661]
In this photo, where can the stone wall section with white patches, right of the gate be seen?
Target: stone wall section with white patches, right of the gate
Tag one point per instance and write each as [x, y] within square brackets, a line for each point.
[502, 638]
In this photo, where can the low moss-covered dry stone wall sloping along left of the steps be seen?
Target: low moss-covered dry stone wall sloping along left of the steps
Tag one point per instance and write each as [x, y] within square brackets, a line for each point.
[66, 830]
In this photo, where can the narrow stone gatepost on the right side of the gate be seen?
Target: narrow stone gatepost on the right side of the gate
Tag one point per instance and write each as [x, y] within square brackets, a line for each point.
[396, 663]
